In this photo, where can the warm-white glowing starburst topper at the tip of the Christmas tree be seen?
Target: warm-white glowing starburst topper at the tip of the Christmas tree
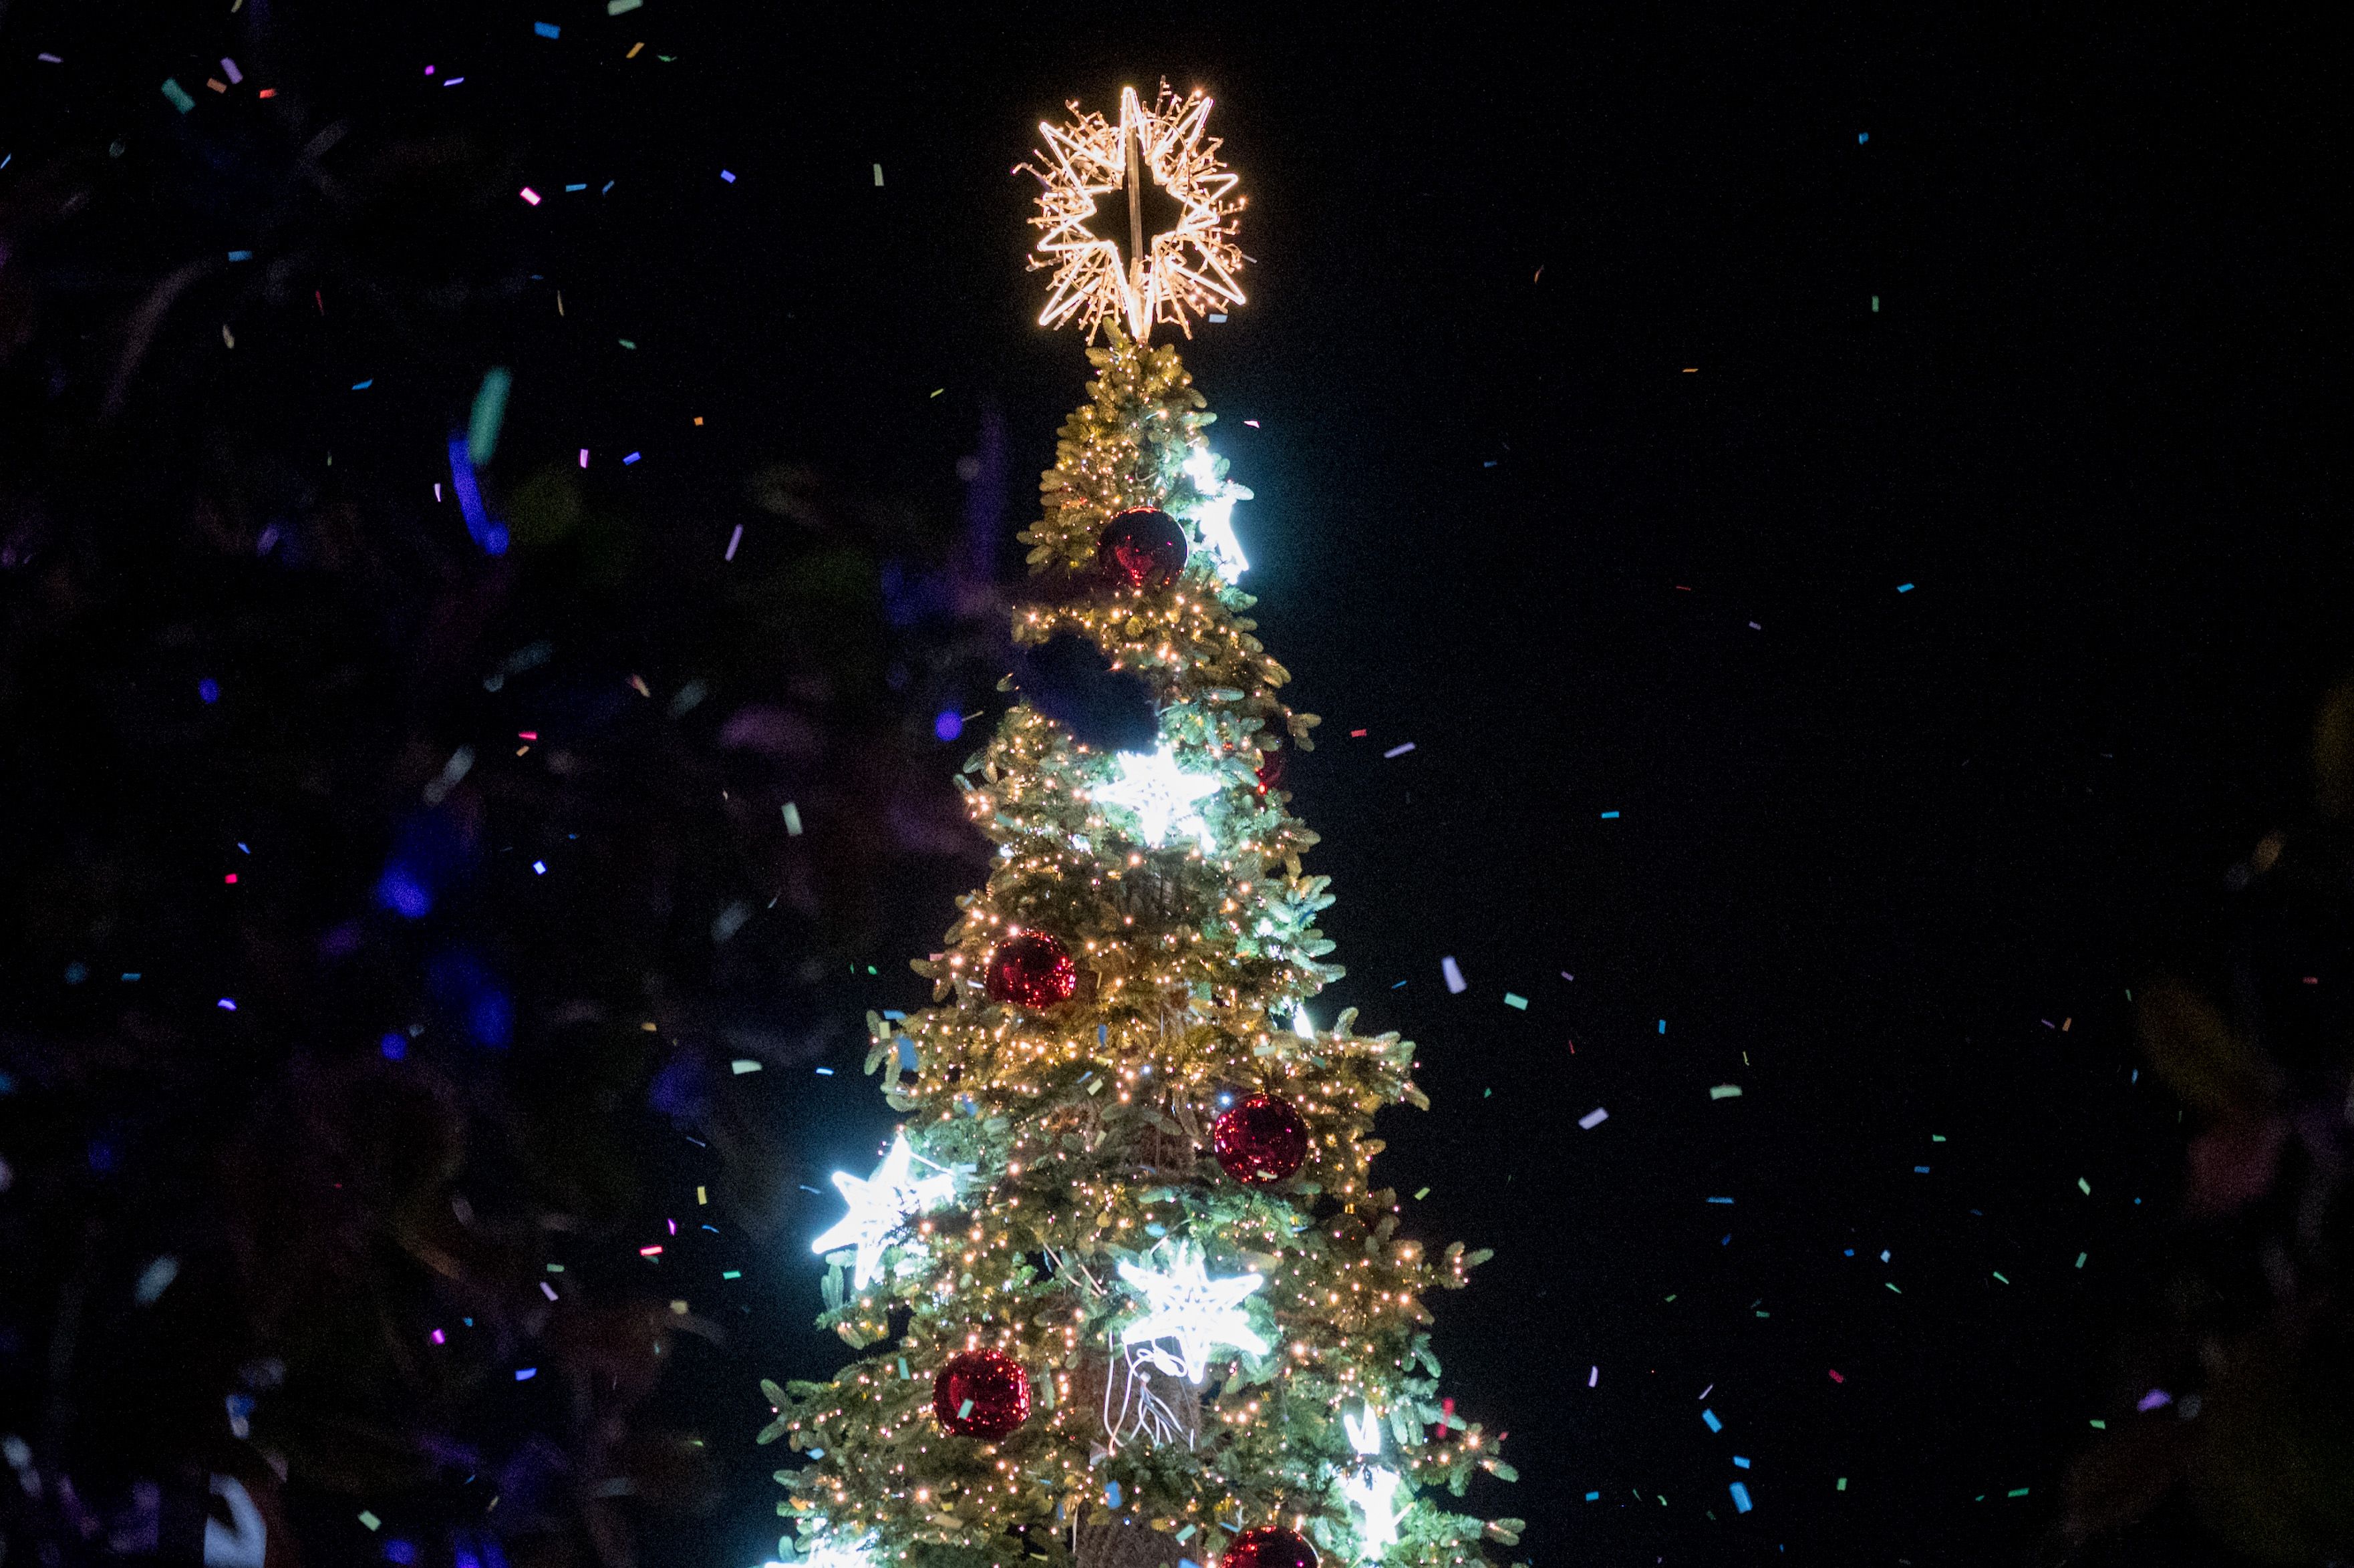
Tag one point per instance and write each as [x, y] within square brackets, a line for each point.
[1117, 265]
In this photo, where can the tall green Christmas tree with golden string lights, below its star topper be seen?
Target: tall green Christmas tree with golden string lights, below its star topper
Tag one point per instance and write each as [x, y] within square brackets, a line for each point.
[1063, 1190]
